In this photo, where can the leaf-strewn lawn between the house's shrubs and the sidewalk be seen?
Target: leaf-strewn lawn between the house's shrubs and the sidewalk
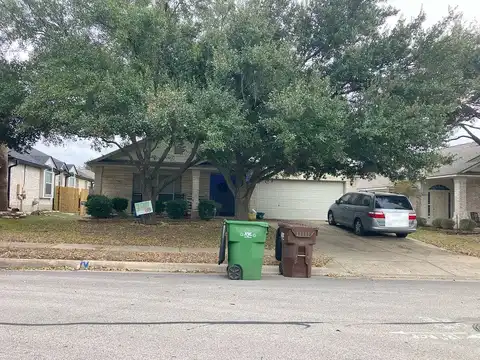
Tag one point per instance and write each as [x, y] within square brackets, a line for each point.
[71, 229]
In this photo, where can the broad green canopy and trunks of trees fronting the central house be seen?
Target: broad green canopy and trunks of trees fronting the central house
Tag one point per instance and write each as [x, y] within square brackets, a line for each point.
[261, 88]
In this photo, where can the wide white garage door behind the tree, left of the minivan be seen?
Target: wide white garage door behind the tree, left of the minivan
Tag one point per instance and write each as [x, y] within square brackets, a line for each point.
[296, 199]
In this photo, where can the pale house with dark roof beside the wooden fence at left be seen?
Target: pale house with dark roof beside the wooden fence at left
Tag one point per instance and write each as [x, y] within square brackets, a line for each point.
[33, 177]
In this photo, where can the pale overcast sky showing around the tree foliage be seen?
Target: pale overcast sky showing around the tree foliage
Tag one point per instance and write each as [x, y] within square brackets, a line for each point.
[79, 152]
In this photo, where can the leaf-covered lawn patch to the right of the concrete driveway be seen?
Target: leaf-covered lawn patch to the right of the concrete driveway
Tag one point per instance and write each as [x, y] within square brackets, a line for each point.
[458, 243]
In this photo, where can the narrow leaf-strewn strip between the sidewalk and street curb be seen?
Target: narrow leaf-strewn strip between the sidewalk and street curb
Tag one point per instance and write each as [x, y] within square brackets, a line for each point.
[161, 257]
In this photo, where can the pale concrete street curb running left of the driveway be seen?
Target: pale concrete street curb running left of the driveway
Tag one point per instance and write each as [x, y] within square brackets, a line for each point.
[6, 263]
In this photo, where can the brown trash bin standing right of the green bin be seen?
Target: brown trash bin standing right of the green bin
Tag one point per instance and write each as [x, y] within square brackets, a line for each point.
[297, 250]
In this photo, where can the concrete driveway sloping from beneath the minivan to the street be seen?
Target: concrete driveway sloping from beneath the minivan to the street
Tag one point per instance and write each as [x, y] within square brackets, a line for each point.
[389, 256]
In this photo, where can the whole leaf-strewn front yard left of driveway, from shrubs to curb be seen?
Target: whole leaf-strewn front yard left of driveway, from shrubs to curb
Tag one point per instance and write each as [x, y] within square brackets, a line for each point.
[183, 241]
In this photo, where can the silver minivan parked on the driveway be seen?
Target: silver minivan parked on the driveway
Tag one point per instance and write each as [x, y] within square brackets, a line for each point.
[374, 212]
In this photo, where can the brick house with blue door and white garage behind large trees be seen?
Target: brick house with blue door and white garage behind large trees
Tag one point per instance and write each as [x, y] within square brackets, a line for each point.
[292, 198]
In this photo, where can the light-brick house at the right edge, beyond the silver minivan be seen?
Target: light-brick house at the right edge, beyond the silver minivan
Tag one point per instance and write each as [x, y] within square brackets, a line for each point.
[453, 191]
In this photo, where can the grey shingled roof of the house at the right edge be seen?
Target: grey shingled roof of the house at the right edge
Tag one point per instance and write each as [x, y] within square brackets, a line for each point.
[465, 157]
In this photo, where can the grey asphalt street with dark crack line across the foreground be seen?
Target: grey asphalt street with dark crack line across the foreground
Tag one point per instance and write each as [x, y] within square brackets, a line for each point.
[101, 315]
